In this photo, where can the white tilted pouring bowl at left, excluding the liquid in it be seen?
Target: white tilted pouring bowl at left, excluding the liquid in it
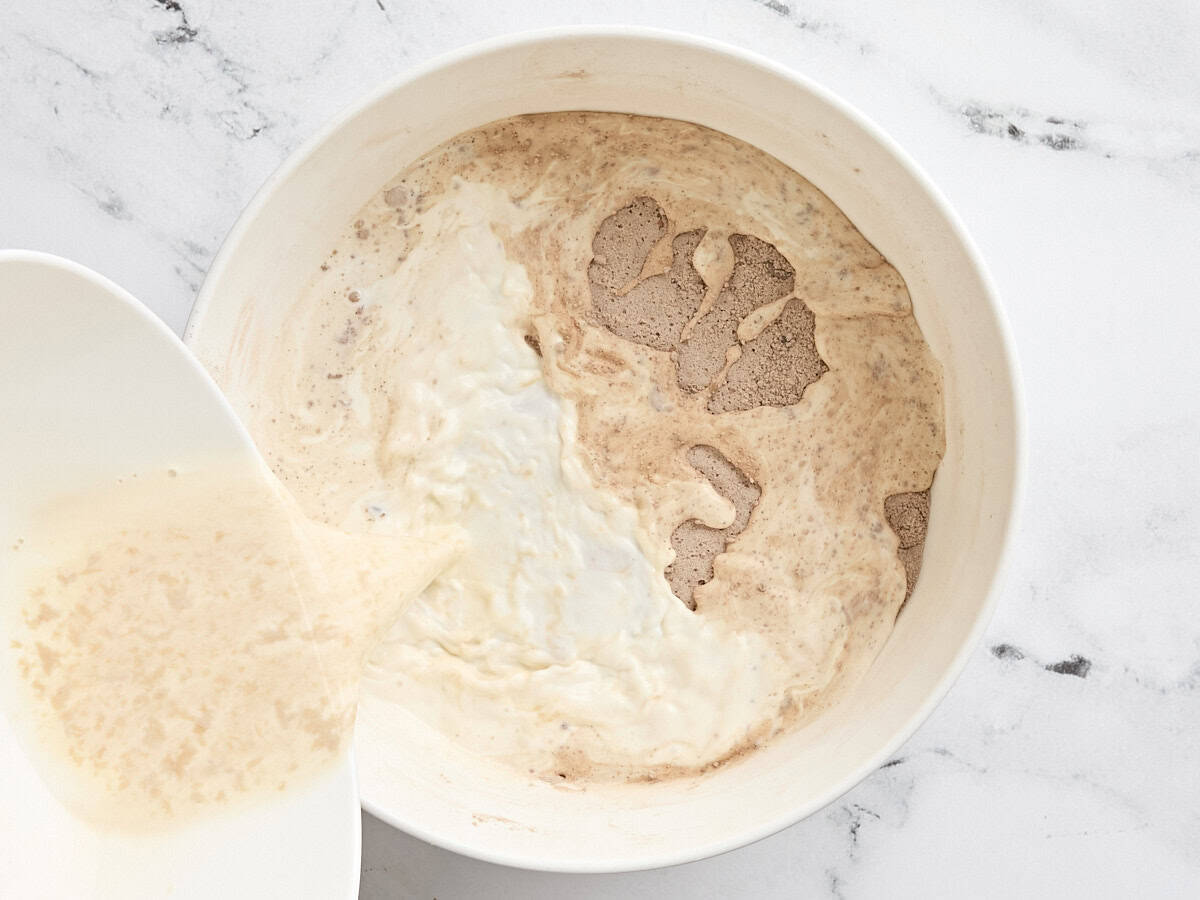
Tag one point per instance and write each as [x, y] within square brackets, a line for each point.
[93, 387]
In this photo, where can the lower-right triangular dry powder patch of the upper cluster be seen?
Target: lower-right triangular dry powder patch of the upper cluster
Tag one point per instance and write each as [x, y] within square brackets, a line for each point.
[775, 368]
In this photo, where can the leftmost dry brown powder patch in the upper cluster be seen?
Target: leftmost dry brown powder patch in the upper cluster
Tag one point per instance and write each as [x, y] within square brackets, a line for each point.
[655, 311]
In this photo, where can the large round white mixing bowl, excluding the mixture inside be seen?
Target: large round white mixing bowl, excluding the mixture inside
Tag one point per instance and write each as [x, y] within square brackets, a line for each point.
[434, 790]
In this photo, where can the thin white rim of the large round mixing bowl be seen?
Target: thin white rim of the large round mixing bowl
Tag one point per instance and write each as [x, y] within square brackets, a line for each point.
[530, 39]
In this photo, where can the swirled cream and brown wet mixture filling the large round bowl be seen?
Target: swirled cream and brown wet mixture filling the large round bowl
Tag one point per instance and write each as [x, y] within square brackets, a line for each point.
[680, 407]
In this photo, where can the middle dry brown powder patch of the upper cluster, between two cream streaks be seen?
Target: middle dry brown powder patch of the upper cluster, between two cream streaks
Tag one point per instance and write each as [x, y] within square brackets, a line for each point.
[760, 277]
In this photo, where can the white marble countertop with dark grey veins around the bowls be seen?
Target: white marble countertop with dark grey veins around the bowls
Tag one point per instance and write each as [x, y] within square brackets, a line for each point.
[1067, 134]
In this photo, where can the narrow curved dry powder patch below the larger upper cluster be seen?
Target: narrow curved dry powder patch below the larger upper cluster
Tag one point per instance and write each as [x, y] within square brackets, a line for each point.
[698, 545]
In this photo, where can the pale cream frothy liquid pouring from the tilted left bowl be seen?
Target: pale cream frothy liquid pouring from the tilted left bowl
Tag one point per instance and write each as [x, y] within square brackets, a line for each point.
[187, 641]
